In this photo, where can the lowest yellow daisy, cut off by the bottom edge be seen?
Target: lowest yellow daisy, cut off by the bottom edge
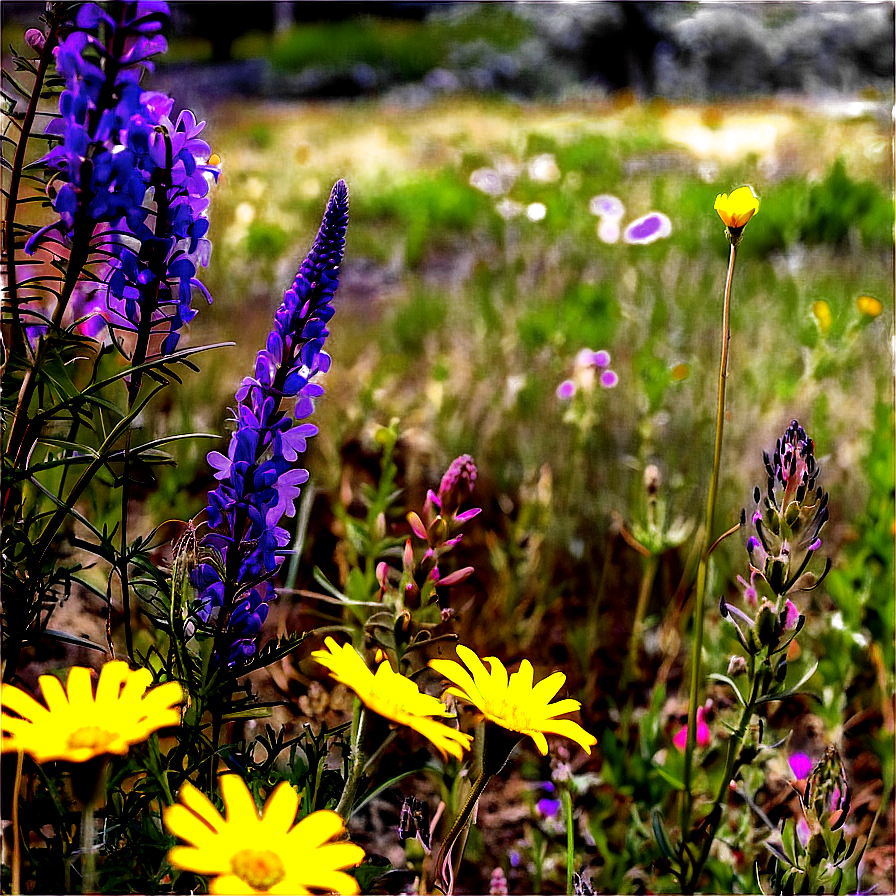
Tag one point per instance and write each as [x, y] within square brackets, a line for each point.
[247, 853]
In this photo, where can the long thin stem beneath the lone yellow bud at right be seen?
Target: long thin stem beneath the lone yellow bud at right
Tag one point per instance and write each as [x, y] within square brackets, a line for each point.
[702, 569]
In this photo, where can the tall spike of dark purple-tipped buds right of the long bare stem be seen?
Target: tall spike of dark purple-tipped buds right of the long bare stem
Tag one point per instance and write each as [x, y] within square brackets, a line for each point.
[788, 518]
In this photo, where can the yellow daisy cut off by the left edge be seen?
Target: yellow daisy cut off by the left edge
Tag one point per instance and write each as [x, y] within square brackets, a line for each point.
[78, 726]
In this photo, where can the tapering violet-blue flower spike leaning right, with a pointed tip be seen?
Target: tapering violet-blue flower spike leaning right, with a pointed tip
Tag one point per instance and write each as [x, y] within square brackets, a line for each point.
[259, 482]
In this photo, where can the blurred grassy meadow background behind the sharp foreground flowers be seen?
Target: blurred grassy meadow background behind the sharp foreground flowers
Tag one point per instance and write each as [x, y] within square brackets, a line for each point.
[476, 140]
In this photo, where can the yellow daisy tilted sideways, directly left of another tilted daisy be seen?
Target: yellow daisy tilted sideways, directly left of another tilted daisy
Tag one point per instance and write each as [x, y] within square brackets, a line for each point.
[393, 696]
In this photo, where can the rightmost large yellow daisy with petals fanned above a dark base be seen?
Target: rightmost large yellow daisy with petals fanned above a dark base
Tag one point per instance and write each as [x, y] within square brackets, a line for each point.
[515, 703]
